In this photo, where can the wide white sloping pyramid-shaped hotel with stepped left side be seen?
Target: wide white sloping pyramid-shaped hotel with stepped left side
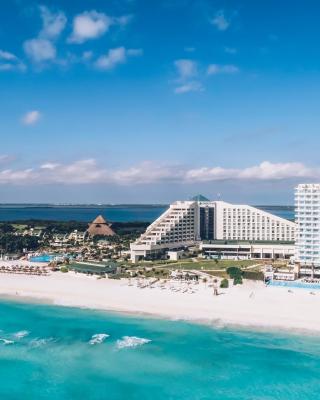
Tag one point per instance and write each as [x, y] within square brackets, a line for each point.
[216, 223]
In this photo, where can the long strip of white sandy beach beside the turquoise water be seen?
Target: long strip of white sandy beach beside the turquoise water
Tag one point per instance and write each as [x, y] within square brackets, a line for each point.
[251, 304]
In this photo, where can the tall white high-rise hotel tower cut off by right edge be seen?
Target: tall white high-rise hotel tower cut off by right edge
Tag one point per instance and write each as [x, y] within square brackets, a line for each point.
[307, 203]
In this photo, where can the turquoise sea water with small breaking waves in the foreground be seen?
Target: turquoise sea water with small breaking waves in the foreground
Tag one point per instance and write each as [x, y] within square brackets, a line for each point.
[49, 352]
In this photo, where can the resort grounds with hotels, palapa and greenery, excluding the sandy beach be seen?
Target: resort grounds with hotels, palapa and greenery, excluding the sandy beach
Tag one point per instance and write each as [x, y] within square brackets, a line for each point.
[196, 234]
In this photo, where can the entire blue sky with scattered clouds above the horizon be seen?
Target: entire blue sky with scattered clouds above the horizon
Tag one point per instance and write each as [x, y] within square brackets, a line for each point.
[152, 101]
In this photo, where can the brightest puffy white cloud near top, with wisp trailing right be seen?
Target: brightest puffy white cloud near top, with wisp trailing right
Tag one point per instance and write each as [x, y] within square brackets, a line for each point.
[92, 24]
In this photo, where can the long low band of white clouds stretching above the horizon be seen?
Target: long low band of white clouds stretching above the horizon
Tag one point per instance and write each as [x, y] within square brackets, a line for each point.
[89, 172]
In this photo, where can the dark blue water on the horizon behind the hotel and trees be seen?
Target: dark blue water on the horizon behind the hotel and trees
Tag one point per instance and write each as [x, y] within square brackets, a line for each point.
[88, 213]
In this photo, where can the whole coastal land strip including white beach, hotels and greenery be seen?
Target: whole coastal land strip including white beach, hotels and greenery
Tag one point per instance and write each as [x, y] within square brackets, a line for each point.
[179, 265]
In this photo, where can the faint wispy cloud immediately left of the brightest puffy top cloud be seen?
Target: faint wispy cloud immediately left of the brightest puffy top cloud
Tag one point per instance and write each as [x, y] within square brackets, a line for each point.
[53, 23]
